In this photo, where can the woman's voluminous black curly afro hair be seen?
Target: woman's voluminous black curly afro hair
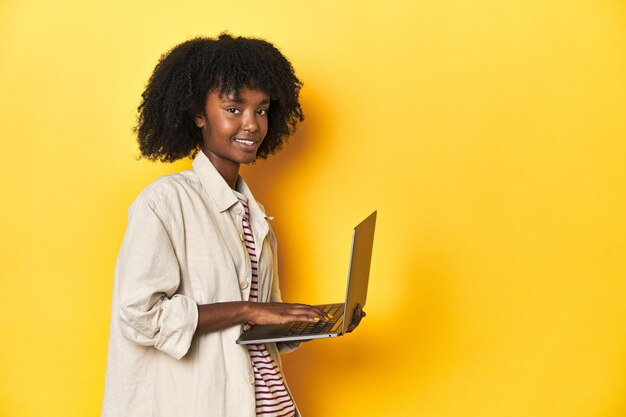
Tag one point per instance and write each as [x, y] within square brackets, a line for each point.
[177, 90]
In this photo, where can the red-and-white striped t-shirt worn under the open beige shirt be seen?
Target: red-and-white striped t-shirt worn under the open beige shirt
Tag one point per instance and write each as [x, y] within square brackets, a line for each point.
[272, 397]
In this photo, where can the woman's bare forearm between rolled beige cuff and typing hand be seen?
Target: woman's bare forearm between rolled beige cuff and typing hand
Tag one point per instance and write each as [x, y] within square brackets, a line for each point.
[219, 316]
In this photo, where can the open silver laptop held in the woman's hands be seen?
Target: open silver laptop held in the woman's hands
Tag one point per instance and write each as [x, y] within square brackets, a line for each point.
[342, 313]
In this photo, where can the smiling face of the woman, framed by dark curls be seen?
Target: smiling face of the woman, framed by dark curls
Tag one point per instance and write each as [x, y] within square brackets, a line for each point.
[233, 127]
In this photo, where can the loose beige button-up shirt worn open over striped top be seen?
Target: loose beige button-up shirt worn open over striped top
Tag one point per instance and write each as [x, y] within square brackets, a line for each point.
[184, 247]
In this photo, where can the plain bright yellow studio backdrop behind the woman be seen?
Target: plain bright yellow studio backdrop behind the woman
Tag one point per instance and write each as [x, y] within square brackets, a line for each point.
[490, 135]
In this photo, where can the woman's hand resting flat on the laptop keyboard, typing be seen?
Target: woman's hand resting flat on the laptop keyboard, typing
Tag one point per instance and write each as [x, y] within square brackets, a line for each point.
[283, 313]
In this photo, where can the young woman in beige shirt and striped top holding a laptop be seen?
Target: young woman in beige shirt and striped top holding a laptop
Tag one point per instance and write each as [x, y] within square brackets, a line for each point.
[198, 261]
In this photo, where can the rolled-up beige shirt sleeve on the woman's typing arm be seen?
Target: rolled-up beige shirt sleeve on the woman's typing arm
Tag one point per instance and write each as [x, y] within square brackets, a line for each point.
[151, 311]
